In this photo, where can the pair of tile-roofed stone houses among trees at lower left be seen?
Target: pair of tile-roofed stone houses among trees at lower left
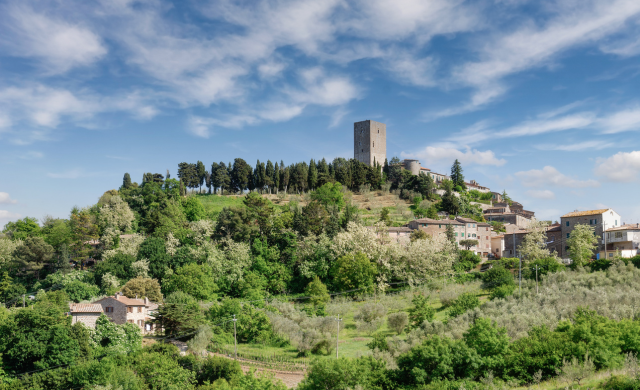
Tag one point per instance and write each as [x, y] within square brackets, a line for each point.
[119, 309]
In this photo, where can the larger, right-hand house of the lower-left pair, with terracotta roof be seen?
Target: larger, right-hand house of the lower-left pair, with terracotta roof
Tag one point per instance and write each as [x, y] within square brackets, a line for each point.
[122, 310]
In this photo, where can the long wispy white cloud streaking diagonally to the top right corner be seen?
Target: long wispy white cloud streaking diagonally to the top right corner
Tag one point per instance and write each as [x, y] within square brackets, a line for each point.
[533, 45]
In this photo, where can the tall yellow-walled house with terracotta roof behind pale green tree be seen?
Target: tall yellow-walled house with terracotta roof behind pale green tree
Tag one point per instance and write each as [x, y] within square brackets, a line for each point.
[600, 220]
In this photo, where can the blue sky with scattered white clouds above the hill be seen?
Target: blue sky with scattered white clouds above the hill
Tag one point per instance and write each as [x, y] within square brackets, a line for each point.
[540, 99]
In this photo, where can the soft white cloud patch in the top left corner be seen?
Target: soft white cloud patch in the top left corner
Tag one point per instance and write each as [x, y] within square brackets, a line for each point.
[60, 44]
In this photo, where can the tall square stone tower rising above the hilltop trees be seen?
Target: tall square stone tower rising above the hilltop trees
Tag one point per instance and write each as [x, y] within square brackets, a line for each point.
[370, 142]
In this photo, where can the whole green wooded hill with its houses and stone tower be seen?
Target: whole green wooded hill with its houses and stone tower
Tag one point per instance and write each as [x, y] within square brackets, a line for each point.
[303, 275]
